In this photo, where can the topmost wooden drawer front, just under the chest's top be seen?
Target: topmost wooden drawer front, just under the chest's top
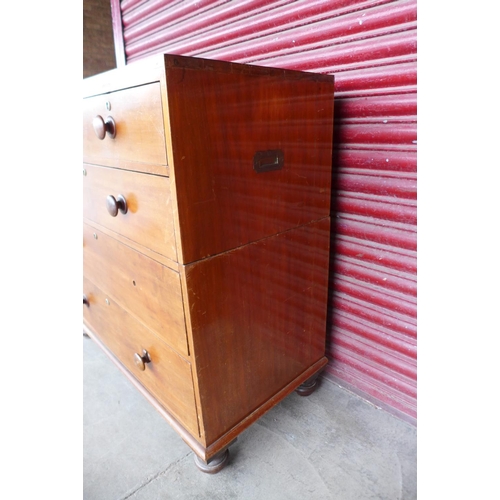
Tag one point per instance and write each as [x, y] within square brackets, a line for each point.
[139, 143]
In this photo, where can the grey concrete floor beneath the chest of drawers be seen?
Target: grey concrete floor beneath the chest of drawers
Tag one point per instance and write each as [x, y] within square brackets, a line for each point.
[330, 445]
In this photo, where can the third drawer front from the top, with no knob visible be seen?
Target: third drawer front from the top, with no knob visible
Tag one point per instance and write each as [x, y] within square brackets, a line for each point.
[142, 286]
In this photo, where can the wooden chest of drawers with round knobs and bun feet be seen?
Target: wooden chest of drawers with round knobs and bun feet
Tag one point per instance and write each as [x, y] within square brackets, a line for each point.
[206, 237]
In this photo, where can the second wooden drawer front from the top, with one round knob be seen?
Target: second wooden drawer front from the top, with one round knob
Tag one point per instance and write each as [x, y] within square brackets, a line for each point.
[148, 220]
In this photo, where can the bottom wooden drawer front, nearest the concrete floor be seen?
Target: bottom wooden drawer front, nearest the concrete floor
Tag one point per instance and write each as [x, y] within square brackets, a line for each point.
[167, 377]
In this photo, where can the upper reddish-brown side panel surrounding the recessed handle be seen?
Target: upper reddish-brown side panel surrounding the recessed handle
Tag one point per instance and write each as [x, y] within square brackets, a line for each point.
[218, 190]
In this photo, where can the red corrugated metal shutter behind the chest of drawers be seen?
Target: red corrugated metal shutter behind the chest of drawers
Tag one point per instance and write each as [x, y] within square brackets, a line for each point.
[370, 46]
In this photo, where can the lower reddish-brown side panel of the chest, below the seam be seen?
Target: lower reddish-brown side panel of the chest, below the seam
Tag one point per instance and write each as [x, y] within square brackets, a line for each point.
[263, 327]
